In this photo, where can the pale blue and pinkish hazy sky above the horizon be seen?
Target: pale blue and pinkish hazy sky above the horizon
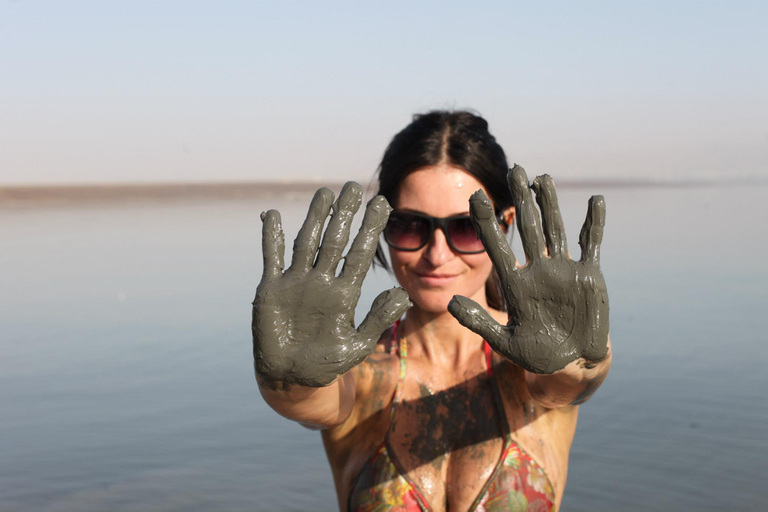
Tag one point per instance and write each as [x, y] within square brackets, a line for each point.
[147, 91]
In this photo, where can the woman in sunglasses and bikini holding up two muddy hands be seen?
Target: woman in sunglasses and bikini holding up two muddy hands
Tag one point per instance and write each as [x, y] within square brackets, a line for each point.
[459, 405]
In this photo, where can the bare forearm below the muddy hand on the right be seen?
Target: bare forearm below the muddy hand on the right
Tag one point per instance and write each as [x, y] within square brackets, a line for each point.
[573, 385]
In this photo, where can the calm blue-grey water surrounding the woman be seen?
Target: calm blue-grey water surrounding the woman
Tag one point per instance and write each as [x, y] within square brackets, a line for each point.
[126, 378]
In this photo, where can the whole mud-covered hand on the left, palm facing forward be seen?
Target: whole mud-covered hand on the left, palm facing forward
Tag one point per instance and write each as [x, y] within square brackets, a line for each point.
[304, 318]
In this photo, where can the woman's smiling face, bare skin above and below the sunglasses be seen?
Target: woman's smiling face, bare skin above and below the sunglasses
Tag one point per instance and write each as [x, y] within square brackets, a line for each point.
[435, 273]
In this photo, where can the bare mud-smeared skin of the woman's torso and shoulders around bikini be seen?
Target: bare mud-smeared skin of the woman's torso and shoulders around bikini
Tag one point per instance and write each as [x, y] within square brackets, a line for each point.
[447, 442]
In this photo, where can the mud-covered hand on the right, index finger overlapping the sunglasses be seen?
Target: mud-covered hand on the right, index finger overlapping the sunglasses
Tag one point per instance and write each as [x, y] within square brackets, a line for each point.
[557, 307]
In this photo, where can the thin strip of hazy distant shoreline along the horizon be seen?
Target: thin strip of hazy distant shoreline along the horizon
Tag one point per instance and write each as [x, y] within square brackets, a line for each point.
[67, 195]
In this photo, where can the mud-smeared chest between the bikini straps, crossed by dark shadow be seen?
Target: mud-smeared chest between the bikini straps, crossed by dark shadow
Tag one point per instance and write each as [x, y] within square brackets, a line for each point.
[449, 442]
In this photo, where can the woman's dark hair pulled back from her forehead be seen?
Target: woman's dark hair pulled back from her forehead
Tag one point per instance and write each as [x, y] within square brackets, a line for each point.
[460, 139]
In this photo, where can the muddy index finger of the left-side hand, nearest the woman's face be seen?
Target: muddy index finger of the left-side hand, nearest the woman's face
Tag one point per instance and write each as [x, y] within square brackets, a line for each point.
[363, 248]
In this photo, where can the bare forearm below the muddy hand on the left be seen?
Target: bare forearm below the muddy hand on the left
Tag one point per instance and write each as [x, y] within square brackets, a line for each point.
[315, 408]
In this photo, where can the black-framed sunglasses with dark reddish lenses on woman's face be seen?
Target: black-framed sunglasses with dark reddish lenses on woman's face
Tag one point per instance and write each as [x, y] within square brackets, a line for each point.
[410, 231]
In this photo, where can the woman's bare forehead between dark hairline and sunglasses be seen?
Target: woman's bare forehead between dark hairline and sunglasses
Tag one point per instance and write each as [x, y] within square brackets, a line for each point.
[440, 191]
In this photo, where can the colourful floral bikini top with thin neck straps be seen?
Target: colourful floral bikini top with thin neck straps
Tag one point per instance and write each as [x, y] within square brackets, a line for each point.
[517, 483]
